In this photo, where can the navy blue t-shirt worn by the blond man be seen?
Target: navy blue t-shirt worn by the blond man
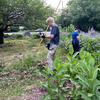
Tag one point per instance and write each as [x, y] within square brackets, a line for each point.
[55, 31]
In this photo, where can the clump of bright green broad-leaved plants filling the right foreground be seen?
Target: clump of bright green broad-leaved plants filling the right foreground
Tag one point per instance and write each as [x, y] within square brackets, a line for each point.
[81, 74]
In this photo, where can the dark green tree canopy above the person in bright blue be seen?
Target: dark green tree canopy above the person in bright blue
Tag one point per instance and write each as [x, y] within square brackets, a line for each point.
[84, 14]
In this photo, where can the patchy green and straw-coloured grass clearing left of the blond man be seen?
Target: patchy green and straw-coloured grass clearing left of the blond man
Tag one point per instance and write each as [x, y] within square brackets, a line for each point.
[18, 74]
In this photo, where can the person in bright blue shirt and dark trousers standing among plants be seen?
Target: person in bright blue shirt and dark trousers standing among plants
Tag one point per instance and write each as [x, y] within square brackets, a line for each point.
[75, 40]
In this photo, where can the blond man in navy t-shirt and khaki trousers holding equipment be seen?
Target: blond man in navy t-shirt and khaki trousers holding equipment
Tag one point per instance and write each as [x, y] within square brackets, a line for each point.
[54, 42]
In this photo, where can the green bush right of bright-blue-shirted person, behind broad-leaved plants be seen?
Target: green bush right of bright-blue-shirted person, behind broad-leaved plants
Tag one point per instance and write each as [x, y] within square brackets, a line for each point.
[92, 46]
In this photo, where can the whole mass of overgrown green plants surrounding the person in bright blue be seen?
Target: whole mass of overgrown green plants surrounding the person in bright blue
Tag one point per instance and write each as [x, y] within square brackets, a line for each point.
[77, 76]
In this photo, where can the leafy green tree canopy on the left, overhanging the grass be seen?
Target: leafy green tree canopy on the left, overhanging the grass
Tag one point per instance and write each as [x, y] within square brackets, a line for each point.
[29, 13]
